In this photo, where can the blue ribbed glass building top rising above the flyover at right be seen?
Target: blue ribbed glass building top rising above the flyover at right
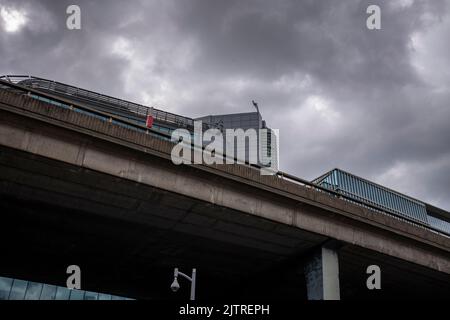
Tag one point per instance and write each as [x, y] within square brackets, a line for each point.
[374, 195]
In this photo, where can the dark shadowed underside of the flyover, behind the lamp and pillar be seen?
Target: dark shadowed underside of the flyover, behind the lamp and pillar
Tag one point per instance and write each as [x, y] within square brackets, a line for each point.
[127, 238]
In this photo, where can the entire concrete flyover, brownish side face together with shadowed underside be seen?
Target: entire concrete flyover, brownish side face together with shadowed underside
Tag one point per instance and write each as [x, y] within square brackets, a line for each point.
[76, 187]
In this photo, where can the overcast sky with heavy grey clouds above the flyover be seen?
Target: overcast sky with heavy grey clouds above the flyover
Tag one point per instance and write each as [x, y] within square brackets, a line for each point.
[372, 102]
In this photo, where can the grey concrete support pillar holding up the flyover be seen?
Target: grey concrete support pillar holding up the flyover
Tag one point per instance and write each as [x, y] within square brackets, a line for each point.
[322, 275]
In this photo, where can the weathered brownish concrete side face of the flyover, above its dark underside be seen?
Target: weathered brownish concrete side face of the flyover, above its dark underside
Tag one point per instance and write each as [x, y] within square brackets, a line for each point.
[74, 138]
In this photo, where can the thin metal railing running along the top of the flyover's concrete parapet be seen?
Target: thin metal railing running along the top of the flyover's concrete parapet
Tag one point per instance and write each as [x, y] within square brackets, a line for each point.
[16, 86]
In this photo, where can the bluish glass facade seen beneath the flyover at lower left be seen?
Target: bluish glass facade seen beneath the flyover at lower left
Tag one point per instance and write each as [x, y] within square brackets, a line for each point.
[16, 289]
